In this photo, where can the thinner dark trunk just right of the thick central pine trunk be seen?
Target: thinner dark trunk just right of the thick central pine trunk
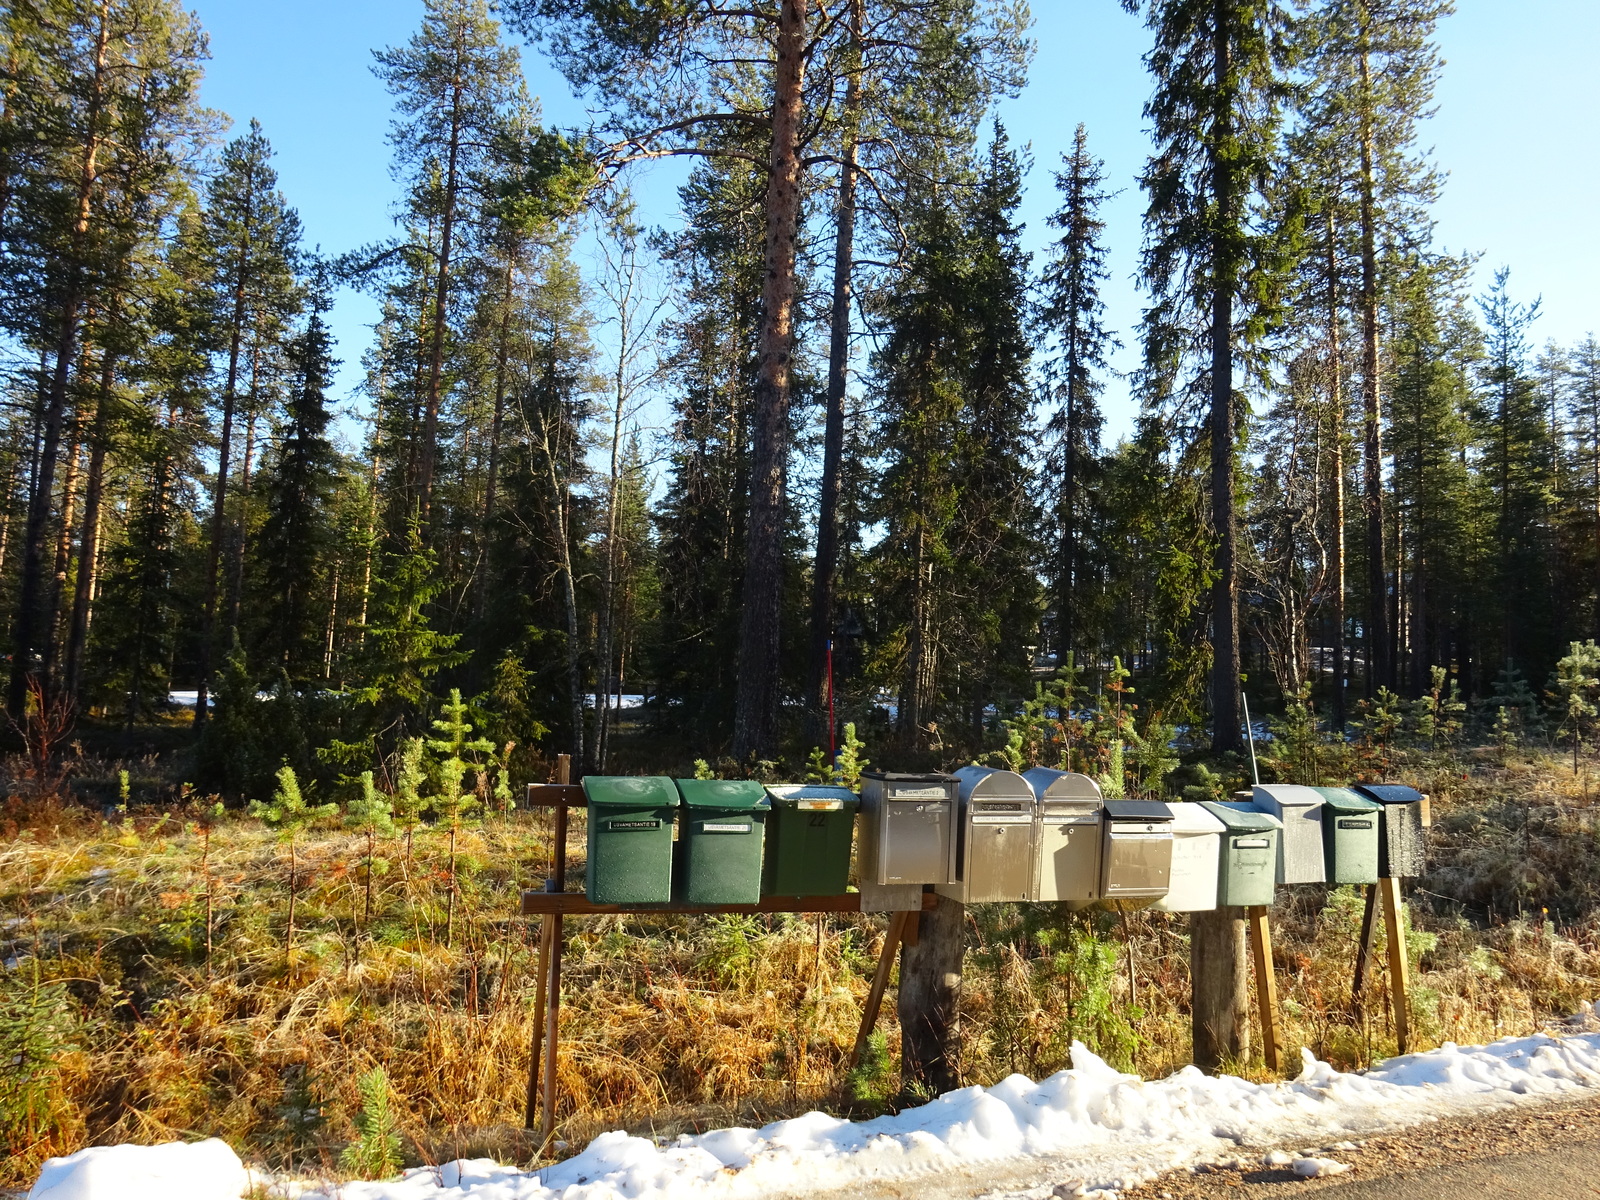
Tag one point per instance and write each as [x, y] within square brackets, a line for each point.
[825, 578]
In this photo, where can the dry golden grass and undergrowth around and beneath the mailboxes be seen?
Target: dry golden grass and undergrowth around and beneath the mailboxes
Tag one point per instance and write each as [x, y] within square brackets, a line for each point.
[151, 991]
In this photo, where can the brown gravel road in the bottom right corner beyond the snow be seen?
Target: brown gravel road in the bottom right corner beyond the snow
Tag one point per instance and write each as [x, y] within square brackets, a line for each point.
[1548, 1153]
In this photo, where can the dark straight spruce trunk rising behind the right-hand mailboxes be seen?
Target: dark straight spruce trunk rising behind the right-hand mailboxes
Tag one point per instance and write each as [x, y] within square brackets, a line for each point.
[1225, 270]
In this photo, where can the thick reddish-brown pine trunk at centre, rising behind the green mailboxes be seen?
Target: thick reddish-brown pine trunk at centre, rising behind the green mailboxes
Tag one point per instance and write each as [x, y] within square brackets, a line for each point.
[756, 703]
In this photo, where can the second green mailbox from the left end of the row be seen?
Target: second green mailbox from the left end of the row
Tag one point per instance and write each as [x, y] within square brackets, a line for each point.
[721, 846]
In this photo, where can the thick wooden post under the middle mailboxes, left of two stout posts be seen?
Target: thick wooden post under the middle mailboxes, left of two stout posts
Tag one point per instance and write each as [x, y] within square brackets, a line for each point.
[929, 1002]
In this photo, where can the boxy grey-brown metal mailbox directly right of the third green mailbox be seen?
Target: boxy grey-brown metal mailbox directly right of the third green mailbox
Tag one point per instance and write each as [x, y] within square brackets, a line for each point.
[908, 830]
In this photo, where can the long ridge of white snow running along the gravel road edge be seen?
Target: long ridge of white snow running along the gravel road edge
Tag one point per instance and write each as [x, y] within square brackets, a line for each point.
[1111, 1129]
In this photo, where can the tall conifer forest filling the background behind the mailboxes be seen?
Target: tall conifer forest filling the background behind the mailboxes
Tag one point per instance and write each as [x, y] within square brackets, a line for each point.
[830, 444]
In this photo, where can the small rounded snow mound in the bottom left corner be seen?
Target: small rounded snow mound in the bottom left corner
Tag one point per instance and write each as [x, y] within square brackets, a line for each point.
[170, 1172]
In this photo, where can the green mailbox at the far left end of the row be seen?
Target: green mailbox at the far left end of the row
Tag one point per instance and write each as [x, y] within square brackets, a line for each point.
[630, 839]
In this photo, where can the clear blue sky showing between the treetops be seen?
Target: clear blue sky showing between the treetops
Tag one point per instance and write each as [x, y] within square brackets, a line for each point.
[1516, 132]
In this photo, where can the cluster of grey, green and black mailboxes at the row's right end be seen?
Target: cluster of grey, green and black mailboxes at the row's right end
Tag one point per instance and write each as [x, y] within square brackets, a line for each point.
[1346, 834]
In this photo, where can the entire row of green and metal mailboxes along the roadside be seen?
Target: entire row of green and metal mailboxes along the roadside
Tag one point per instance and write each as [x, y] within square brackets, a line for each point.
[988, 836]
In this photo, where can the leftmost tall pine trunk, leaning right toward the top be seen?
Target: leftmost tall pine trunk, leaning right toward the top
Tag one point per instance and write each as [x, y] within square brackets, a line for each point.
[55, 409]
